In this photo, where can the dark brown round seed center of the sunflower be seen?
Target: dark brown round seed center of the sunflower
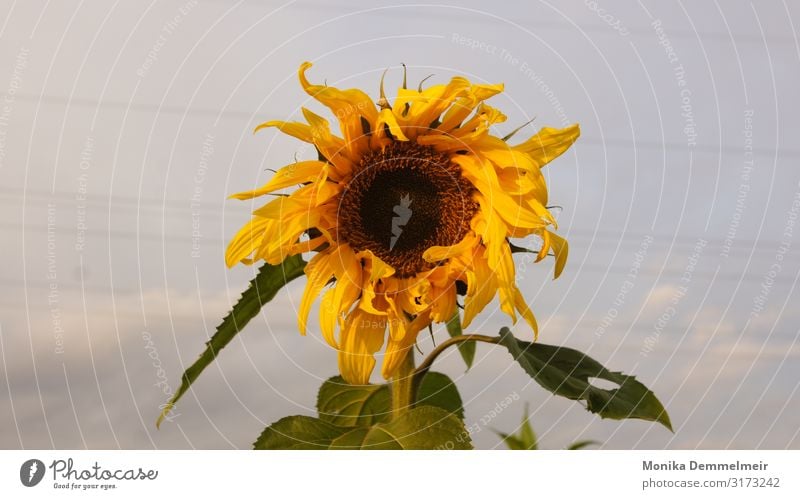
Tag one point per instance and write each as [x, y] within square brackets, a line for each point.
[403, 200]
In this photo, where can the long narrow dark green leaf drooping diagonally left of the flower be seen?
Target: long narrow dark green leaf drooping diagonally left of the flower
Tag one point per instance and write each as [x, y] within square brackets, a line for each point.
[263, 288]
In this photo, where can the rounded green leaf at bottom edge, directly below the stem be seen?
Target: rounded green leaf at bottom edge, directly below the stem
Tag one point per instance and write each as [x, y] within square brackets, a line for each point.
[422, 428]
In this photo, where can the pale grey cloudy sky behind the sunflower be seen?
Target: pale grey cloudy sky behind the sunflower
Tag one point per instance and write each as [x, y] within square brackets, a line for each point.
[125, 125]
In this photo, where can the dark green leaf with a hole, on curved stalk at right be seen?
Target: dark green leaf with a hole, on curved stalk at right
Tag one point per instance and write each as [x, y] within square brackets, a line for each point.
[566, 372]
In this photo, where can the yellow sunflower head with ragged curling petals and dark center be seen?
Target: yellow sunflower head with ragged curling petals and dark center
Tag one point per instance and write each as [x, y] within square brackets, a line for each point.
[410, 208]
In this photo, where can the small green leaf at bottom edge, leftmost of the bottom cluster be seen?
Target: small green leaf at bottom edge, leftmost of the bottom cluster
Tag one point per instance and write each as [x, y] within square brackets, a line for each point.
[299, 432]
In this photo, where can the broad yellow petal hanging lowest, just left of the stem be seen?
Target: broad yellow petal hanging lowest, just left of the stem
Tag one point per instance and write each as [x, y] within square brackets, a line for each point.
[361, 337]
